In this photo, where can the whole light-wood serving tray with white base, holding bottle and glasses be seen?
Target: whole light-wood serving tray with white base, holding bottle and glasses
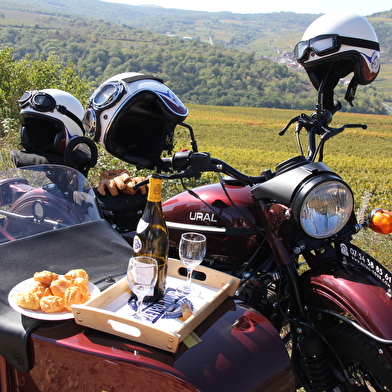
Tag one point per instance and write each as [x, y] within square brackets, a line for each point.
[110, 312]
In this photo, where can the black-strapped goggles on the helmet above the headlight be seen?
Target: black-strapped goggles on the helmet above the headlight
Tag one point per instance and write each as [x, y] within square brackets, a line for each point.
[329, 43]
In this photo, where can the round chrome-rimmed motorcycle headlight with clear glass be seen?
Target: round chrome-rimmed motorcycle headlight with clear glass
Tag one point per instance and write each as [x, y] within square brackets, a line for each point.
[323, 206]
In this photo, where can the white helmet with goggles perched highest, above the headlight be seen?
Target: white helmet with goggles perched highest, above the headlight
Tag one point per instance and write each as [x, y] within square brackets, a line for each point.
[335, 45]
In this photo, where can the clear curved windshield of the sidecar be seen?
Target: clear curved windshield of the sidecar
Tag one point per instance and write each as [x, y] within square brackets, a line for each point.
[39, 198]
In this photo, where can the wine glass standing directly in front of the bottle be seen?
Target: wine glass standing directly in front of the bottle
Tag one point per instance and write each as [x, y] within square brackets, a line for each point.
[142, 274]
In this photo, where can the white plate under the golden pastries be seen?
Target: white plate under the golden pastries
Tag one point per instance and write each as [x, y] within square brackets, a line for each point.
[37, 314]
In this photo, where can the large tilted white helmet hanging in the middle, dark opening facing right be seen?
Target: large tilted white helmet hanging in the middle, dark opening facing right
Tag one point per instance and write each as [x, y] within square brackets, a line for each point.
[133, 117]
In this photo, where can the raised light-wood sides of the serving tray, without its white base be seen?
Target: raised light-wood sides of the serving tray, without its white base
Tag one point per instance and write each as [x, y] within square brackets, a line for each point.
[92, 314]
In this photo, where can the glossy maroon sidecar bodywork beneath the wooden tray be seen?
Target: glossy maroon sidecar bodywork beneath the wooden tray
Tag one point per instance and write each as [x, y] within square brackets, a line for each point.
[239, 351]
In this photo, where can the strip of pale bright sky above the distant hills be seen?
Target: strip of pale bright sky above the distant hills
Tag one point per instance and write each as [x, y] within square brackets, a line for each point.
[262, 6]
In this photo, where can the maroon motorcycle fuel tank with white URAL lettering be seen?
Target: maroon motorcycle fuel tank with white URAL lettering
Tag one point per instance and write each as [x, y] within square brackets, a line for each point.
[229, 220]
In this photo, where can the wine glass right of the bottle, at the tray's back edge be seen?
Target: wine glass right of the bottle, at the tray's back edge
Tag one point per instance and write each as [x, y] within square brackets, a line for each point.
[192, 250]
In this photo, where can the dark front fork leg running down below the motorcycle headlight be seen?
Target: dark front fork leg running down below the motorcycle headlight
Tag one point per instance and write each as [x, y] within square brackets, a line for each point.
[309, 348]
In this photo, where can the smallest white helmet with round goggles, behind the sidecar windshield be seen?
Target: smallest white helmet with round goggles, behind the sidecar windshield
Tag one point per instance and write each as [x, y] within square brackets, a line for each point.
[50, 119]
